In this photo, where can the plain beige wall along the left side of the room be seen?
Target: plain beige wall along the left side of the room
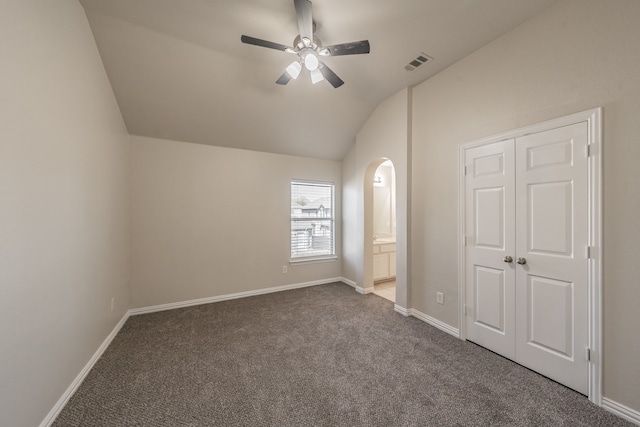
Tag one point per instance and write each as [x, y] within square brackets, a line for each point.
[64, 212]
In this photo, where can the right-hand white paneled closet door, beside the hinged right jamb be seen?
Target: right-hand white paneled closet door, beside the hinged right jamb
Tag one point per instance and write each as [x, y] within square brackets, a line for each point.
[552, 237]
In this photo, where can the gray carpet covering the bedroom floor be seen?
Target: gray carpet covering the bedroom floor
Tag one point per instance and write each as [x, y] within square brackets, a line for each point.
[319, 356]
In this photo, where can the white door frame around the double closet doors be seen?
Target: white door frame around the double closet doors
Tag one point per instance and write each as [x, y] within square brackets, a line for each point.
[593, 118]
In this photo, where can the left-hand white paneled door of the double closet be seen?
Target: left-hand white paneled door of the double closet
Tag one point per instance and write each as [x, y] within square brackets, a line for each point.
[489, 217]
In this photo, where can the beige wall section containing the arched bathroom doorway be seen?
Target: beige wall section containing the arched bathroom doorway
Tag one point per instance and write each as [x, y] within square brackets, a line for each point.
[384, 136]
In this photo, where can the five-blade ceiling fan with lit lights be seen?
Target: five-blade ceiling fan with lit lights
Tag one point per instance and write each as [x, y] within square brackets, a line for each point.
[309, 49]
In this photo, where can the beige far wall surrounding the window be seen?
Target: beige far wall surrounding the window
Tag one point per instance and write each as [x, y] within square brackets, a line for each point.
[210, 221]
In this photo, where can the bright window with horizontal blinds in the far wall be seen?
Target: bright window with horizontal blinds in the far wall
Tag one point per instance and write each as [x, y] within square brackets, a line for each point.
[312, 220]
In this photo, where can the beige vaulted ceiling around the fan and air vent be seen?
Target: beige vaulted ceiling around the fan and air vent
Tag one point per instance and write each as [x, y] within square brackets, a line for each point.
[179, 70]
